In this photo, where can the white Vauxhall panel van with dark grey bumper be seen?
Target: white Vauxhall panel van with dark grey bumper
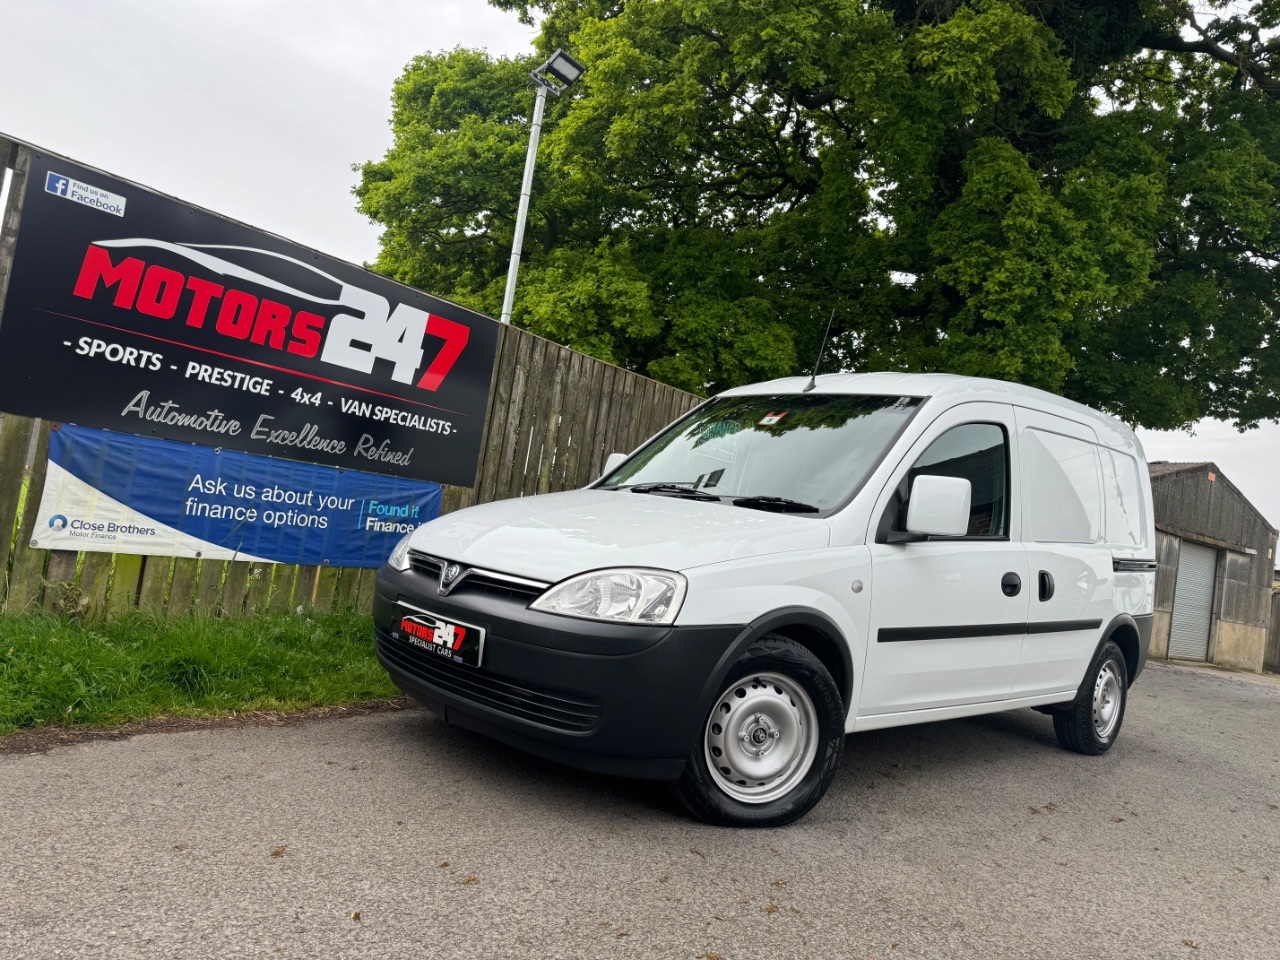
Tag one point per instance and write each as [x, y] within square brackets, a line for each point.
[788, 564]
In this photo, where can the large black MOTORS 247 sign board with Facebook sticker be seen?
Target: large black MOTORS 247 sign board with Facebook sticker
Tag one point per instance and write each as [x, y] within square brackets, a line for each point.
[135, 313]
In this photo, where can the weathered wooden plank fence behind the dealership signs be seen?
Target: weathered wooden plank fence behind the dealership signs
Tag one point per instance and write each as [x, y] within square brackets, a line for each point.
[554, 418]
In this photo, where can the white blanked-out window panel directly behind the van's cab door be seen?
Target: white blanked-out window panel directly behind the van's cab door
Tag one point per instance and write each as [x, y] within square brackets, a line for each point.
[1064, 490]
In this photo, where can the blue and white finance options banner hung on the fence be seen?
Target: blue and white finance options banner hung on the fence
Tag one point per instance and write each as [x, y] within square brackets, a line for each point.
[116, 493]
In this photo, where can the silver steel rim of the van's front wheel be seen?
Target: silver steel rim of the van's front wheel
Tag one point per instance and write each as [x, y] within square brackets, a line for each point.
[761, 738]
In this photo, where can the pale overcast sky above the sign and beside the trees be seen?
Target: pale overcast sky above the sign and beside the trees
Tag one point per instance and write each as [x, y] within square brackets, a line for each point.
[259, 108]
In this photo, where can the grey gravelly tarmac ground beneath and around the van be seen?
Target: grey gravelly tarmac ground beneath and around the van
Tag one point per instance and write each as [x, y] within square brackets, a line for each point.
[391, 835]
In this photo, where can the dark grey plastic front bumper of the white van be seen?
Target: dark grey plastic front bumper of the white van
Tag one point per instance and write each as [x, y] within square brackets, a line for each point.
[611, 698]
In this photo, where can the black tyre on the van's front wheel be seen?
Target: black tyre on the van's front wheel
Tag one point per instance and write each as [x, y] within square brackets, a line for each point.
[766, 669]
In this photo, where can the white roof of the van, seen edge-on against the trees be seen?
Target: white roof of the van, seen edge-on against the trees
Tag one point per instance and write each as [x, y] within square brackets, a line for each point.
[953, 388]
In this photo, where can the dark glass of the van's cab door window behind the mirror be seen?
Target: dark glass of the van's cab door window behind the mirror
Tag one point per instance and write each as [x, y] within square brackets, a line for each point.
[979, 454]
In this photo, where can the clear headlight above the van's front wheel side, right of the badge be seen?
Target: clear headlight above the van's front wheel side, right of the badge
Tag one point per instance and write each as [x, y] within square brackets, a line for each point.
[618, 596]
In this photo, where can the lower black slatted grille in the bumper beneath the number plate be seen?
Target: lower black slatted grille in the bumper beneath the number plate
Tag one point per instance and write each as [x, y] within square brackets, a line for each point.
[552, 708]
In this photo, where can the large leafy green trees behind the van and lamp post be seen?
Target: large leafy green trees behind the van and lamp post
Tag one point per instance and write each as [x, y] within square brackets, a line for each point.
[1078, 195]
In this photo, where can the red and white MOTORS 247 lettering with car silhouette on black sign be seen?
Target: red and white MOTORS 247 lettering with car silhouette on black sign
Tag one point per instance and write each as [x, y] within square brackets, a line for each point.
[351, 330]
